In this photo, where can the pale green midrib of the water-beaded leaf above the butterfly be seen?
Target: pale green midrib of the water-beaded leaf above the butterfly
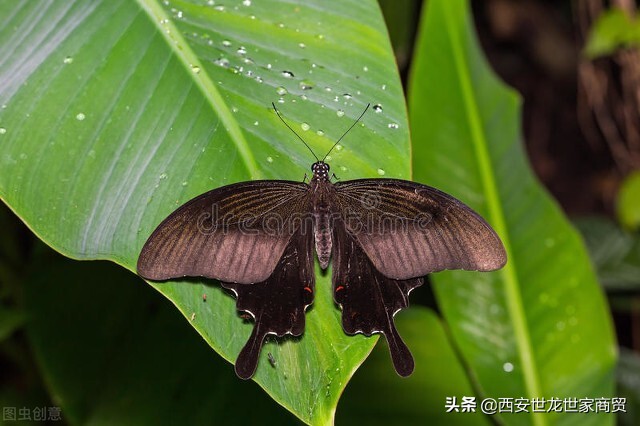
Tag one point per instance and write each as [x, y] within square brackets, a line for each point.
[182, 50]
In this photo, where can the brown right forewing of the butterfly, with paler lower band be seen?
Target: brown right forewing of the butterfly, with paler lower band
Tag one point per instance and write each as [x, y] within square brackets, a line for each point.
[409, 230]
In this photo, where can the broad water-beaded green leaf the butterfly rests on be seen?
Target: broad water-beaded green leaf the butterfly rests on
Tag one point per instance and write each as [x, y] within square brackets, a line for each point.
[113, 113]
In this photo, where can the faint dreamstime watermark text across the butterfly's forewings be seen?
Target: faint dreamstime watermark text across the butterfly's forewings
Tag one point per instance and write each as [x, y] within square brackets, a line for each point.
[366, 219]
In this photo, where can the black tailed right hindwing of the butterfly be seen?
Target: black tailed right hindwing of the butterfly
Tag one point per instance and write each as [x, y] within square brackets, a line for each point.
[368, 299]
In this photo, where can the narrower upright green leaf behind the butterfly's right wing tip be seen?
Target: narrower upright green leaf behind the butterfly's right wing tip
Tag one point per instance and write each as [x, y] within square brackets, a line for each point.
[538, 328]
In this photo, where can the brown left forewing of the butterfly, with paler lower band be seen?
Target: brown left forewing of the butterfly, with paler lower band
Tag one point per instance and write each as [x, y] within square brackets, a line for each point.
[236, 233]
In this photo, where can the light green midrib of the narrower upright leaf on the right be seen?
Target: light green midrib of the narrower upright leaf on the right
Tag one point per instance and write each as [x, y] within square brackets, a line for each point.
[488, 181]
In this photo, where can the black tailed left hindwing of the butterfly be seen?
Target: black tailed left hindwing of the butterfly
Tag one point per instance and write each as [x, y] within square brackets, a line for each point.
[278, 303]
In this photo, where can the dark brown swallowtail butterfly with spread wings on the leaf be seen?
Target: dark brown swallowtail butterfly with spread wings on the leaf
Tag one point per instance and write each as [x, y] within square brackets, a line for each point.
[257, 238]
